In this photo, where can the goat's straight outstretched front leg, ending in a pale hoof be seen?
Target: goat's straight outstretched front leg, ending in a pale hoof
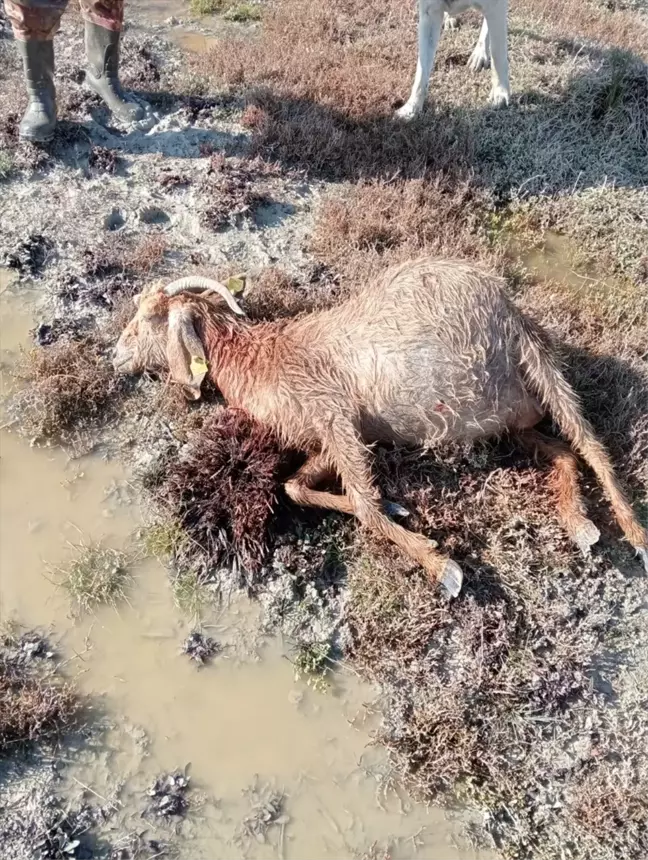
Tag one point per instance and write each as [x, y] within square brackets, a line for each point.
[346, 449]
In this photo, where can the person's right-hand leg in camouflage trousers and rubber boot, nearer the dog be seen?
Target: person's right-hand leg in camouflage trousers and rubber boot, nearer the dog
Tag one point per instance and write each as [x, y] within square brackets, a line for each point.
[103, 25]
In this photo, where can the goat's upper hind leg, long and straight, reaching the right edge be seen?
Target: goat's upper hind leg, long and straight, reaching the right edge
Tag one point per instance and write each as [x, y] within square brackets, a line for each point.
[542, 374]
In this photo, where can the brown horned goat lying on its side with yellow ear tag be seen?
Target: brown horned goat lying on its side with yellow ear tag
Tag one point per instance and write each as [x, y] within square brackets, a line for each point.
[433, 350]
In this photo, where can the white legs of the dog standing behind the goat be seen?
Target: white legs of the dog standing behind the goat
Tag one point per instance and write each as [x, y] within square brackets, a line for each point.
[491, 46]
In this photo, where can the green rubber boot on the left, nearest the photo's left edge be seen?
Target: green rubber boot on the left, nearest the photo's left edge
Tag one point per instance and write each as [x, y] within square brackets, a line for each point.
[39, 121]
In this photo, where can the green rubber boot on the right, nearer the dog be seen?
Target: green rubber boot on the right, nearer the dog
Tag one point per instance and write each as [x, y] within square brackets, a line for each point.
[102, 54]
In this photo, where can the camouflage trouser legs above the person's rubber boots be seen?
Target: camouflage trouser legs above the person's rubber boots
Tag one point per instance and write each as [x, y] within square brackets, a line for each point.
[39, 20]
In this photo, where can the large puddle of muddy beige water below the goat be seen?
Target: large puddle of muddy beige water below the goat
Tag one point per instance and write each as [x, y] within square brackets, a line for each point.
[243, 718]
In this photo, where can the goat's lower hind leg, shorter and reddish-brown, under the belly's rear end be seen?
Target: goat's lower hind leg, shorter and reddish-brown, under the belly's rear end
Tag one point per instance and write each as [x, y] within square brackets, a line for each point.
[564, 482]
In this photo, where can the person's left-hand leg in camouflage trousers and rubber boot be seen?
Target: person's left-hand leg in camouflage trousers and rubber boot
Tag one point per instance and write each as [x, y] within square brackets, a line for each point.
[35, 23]
